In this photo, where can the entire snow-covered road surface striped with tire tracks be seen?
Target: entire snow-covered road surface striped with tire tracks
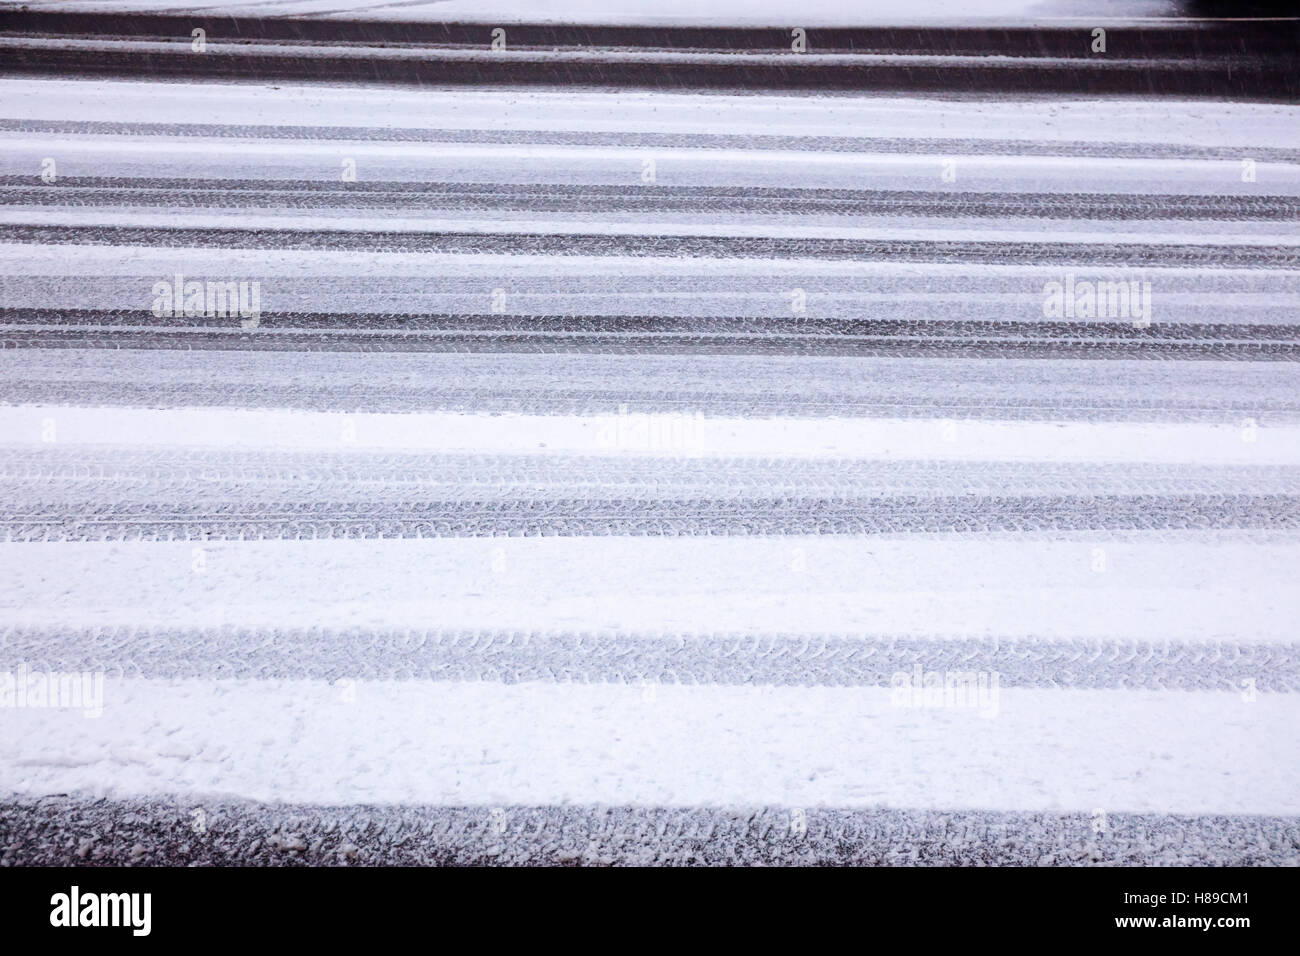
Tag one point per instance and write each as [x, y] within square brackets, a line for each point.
[645, 443]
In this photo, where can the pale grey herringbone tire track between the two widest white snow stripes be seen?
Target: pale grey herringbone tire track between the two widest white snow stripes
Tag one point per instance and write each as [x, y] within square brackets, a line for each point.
[804, 660]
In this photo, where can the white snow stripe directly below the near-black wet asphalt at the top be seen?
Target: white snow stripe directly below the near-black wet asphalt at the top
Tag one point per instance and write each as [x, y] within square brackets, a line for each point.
[1155, 122]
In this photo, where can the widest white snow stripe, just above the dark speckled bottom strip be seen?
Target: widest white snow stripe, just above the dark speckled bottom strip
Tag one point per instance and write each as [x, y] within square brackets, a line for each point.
[538, 745]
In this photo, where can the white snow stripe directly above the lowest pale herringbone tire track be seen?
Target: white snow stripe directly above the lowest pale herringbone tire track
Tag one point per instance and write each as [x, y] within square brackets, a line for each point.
[1184, 587]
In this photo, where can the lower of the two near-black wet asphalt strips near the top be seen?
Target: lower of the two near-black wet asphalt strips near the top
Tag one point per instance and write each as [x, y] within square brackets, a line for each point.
[1245, 77]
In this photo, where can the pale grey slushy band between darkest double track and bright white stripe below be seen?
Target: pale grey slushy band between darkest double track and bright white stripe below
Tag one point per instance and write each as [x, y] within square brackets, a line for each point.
[760, 387]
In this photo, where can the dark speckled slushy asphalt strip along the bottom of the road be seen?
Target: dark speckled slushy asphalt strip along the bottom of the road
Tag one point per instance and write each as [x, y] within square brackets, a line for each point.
[196, 830]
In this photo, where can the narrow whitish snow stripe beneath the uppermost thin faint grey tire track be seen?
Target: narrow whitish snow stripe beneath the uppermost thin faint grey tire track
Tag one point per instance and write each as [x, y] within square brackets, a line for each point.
[202, 158]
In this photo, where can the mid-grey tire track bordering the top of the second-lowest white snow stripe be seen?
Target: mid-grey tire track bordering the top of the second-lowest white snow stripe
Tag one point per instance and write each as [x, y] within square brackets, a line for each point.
[648, 517]
